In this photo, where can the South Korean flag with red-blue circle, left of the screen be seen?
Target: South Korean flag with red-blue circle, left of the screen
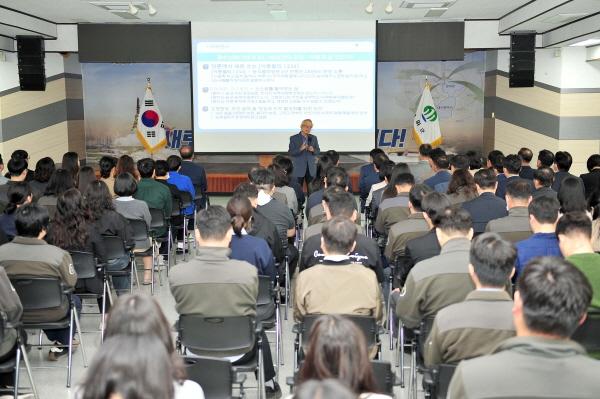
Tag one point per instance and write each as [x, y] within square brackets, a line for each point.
[150, 129]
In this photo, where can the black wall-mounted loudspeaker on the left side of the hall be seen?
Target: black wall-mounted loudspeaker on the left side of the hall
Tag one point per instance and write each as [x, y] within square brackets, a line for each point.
[31, 58]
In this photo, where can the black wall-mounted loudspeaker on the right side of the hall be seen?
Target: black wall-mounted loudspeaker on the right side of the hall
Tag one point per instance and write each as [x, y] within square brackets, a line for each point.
[522, 59]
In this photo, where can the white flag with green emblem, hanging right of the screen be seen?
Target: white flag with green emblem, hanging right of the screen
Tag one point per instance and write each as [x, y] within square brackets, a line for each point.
[426, 128]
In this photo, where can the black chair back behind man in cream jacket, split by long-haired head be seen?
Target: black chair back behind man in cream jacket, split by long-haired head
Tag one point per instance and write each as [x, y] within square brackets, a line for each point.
[367, 324]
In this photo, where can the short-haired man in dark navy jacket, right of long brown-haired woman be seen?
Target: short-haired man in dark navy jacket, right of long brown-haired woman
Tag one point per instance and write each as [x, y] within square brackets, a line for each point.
[487, 206]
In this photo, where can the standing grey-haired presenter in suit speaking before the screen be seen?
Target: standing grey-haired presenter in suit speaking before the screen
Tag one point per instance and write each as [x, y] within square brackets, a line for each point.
[304, 147]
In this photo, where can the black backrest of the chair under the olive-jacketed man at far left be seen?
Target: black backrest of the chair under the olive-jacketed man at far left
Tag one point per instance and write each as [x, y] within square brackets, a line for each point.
[39, 293]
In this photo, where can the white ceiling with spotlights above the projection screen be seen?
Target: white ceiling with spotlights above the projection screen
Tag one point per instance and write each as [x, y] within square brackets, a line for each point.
[74, 11]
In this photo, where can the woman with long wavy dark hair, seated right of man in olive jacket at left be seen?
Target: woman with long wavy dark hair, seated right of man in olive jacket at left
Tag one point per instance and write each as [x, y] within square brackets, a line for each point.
[72, 230]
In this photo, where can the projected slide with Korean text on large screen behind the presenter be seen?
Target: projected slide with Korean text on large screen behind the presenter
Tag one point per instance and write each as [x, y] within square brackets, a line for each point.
[251, 93]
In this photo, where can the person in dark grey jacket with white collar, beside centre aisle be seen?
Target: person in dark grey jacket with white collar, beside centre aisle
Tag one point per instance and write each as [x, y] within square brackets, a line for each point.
[279, 214]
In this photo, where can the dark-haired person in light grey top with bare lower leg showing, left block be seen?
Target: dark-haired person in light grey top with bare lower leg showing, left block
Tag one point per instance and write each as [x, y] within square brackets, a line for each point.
[134, 209]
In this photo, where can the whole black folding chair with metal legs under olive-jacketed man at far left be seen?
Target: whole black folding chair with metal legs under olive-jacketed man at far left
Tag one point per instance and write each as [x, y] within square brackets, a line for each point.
[42, 293]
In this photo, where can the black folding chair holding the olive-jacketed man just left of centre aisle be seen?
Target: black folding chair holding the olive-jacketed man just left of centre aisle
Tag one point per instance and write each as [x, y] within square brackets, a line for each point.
[221, 337]
